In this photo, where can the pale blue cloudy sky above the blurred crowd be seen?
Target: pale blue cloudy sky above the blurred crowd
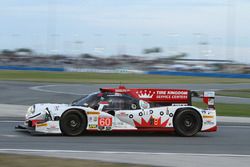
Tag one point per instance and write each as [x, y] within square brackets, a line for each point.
[211, 29]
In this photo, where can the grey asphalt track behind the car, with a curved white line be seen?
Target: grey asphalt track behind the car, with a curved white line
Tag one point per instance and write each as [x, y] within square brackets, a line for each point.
[28, 93]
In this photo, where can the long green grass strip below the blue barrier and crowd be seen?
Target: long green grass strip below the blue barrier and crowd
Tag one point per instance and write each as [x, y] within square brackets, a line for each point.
[73, 77]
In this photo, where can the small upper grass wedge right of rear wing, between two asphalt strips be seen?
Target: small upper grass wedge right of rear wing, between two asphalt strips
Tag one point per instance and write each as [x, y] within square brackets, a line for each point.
[245, 93]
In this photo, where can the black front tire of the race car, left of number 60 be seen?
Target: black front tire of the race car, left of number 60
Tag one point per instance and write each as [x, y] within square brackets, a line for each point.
[73, 123]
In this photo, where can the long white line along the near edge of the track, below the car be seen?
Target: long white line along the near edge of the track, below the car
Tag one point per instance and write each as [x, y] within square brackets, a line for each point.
[120, 152]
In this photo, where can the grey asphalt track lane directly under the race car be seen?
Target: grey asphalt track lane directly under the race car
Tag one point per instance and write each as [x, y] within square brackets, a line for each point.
[229, 139]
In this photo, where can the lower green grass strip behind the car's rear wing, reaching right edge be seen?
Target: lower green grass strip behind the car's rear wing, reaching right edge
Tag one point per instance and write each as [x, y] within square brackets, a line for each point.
[222, 109]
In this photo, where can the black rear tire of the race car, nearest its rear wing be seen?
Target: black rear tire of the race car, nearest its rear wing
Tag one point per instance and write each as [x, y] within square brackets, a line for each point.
[187, 122]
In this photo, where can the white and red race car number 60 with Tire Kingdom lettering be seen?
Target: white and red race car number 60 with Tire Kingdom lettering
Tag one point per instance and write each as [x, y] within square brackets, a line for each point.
[125, 109]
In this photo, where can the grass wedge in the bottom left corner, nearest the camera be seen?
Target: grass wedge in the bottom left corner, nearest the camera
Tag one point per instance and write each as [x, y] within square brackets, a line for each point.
[7, 160]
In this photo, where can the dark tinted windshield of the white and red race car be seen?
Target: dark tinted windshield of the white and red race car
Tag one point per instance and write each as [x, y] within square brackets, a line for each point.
[89, 100]
